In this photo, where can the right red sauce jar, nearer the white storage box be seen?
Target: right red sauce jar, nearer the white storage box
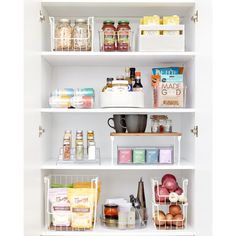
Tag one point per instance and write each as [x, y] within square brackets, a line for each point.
[123, 35]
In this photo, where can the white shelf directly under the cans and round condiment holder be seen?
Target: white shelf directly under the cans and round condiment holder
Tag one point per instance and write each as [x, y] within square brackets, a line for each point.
[118, 110]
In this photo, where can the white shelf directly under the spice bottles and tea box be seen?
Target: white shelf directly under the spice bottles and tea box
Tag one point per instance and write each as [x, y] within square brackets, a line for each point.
[106, 165]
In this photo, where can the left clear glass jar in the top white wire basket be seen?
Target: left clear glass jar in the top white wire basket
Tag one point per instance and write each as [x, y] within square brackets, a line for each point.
[63, 35]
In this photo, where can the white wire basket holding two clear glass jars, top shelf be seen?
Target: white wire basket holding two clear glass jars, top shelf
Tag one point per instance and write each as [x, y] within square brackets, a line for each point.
[67, 38]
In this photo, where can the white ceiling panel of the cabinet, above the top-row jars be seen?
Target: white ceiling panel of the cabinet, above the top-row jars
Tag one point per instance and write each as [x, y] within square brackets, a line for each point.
[120, 8]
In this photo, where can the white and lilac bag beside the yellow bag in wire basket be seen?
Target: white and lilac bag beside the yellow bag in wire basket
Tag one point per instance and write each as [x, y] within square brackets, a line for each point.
[60, 206]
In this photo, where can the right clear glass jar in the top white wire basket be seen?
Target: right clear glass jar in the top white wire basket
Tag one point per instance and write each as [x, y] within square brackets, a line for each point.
[81, 35]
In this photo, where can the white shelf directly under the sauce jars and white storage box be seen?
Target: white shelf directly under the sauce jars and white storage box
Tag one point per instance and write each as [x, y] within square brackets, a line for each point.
[115, 58]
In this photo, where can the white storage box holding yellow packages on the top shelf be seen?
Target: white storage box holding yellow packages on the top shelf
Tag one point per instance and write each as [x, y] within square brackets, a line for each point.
[157, 42]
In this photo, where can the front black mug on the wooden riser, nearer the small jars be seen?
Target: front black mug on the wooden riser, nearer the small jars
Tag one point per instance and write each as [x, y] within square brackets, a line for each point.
[135, 123]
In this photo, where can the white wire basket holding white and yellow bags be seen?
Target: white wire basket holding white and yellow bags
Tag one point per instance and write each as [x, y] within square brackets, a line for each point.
[71, 202]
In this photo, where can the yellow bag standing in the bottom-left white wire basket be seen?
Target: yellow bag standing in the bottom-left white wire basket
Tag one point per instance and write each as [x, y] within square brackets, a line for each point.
[82, 207]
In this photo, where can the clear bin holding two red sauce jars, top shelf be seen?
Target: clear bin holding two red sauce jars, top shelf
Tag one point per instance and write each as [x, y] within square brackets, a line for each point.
[116, 38]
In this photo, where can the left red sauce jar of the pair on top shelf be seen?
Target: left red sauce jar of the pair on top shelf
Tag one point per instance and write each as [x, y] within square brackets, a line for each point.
[109, 35]
